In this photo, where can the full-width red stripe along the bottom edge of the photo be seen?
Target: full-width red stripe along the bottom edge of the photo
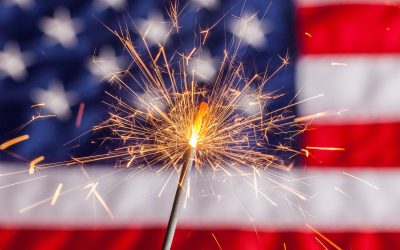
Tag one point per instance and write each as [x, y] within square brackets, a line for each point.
[190, 239]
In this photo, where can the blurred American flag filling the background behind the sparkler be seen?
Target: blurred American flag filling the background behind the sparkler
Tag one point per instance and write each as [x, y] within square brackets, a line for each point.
[61, 53]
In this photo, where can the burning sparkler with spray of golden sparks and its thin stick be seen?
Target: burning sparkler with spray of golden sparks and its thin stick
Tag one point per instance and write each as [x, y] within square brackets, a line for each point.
[162, 116]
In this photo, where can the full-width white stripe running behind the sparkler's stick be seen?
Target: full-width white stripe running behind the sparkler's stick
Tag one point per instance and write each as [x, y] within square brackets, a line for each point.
[337, 201]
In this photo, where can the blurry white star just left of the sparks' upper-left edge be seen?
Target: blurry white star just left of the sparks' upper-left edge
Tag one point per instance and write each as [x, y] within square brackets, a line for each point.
[106, 64]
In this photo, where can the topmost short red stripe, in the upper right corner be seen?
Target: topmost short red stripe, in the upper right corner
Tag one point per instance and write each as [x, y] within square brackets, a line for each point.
[349, 28]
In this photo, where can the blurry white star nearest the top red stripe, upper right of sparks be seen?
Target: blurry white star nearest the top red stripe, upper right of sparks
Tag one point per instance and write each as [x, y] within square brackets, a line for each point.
[250, 30]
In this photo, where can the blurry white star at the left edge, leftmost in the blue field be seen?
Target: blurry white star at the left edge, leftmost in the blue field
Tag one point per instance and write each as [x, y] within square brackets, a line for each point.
[13, 62]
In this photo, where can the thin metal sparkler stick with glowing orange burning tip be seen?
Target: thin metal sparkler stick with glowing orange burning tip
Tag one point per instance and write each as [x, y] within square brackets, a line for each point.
[183, 178]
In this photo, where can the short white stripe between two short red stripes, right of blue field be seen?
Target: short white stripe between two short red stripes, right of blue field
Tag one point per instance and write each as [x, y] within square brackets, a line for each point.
[368, 87]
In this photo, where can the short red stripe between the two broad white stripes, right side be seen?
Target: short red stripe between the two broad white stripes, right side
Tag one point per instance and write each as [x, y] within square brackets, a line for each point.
[375, 145]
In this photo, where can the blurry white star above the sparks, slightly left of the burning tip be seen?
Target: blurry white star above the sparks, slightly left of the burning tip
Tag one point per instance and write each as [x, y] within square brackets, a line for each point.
[155, 30]
